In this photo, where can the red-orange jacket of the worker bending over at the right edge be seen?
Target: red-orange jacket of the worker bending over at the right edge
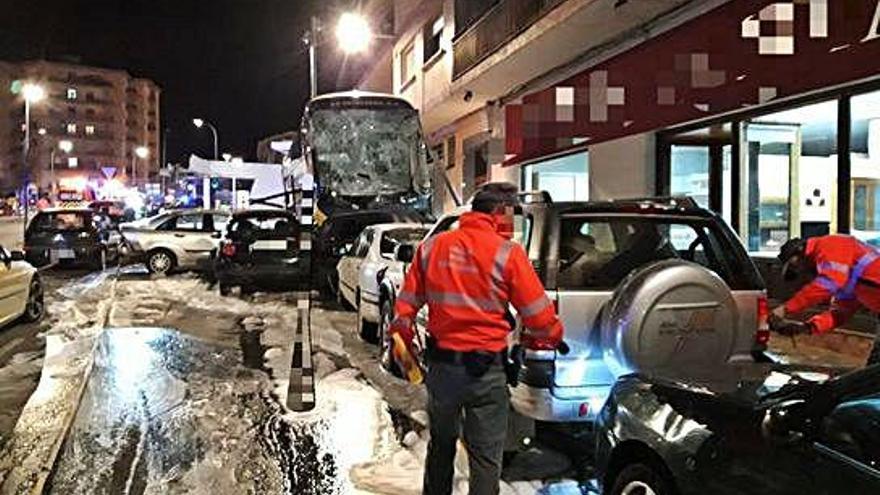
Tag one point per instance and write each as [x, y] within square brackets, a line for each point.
[848, 275]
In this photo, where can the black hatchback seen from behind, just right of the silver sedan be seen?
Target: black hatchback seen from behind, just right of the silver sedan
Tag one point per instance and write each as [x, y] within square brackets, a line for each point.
[261, 248]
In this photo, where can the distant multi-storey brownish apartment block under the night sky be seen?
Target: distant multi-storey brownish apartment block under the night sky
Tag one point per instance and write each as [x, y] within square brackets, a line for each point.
[105, 115]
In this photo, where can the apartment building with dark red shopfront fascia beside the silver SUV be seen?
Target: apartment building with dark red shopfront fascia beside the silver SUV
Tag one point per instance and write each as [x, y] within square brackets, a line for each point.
[766, 111]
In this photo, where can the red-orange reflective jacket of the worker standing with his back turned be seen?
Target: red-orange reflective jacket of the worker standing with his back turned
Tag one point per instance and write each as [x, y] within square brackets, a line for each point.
[467, 277]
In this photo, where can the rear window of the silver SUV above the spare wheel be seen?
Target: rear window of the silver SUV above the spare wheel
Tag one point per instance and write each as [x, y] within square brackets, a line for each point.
[599, 252]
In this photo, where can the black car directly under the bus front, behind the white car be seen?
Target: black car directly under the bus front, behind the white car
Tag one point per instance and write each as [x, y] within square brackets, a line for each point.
[337, 234]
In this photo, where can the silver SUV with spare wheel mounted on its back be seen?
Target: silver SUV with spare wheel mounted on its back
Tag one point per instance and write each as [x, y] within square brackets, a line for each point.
[639, 285]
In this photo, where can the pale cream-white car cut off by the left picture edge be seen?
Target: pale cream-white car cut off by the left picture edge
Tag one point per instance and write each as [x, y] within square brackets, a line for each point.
[21, 293]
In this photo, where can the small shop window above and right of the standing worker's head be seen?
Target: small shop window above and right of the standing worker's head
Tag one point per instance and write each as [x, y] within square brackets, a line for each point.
[565, 178]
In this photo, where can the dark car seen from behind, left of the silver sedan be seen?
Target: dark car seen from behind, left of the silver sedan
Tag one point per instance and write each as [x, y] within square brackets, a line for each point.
[70, 237]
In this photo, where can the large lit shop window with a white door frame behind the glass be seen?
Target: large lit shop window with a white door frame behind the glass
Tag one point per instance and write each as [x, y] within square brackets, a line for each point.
[790, 176]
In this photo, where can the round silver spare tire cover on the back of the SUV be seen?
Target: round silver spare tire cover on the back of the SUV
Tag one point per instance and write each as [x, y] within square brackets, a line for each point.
[672, 315]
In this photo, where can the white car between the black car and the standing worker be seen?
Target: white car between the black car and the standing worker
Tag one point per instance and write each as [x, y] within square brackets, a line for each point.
[358, 270]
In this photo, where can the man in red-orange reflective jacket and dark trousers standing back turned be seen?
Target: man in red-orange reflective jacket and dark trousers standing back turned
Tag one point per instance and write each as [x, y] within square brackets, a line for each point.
[467, 277]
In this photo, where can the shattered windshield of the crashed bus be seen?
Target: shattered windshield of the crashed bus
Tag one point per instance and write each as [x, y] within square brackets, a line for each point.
[369, 152]
